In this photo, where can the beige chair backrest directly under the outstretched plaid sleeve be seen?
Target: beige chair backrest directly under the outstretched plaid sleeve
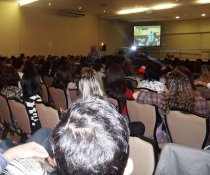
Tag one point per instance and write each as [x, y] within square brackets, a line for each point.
[144, 113]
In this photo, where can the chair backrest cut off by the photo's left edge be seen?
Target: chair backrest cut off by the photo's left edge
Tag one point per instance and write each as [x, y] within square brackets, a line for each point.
[4, 110]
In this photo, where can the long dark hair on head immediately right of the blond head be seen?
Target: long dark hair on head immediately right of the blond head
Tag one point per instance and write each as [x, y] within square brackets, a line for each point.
[115, 84]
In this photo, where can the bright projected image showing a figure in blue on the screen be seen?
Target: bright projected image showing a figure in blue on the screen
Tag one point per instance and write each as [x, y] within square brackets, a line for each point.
[147, 35]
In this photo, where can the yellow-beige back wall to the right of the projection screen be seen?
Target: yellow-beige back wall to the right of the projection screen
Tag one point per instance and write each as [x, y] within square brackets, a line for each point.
[185, 39]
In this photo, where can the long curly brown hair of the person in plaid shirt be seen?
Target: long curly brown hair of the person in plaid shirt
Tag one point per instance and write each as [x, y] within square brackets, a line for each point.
[180, 91]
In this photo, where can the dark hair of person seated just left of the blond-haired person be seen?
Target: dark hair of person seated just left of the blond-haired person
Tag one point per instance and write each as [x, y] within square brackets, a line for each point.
[62, 77]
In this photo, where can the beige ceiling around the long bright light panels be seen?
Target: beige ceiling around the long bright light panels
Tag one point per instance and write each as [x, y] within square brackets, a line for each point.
[187, 9]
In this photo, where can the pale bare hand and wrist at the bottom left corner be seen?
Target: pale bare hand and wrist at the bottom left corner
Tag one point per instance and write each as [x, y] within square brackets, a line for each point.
[27, 150]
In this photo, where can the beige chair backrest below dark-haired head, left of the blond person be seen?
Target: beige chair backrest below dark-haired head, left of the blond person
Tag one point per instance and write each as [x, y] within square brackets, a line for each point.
[59, 98]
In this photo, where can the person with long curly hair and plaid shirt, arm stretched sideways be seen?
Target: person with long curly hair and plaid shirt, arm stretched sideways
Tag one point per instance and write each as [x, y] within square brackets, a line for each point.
[180, 95]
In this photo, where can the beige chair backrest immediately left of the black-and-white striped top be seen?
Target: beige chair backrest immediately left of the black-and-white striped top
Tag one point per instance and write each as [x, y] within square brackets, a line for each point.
[20, 113]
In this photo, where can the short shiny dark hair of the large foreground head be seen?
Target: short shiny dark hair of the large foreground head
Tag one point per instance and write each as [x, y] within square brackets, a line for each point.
[91, 138]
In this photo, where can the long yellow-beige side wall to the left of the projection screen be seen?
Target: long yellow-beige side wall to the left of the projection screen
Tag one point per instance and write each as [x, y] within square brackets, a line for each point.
[34, 31]
